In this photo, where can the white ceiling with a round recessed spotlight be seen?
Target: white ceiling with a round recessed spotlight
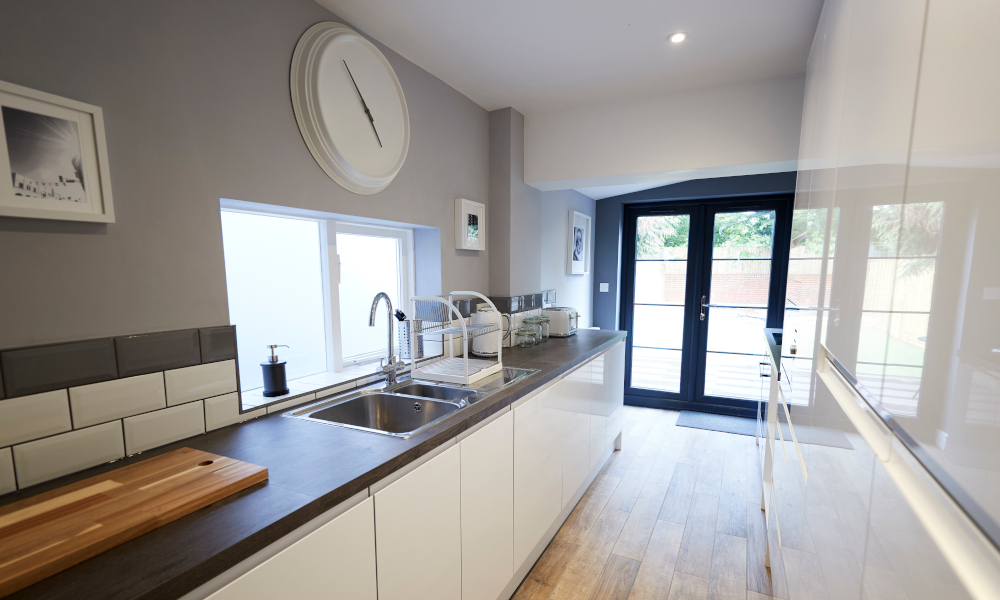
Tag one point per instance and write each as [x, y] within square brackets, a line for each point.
[539, 55]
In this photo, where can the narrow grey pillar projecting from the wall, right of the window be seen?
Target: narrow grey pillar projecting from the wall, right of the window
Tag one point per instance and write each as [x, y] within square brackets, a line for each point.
[515, 211]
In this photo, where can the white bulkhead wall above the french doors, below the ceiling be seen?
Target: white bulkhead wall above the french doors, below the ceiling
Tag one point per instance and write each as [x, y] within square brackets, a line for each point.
[725, 131]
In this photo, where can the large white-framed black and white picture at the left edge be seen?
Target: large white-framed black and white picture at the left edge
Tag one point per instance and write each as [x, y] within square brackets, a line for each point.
[54, 157]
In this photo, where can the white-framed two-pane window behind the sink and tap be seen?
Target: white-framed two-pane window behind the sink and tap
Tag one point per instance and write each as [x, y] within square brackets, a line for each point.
[308, 283]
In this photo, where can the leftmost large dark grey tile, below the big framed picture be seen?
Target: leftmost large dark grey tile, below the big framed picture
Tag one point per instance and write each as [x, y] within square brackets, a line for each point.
[46, 368]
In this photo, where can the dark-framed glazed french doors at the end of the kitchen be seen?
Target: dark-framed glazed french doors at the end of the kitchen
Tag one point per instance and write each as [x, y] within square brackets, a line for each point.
[702, 279]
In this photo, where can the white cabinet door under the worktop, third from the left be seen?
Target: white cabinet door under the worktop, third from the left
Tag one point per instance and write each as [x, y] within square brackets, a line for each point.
[488, 510]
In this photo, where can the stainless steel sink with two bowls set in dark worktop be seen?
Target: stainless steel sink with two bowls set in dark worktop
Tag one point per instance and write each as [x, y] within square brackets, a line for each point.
[381, 412]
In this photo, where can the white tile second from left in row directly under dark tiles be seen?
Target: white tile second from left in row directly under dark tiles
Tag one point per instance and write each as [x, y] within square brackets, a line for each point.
[110, 400]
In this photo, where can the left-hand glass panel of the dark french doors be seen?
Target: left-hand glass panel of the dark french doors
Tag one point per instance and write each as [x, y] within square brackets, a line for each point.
[658, 316]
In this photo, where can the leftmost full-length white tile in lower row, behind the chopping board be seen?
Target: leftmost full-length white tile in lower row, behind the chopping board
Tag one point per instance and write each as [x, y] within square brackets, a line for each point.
[60, 455]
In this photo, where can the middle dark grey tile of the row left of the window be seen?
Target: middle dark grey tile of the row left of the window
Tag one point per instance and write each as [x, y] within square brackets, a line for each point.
[152, 352]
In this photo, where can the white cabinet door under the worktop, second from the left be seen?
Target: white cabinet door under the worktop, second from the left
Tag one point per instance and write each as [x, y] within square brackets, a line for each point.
[418, 533]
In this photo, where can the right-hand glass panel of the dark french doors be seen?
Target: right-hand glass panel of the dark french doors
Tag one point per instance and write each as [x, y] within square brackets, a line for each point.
[736, 305]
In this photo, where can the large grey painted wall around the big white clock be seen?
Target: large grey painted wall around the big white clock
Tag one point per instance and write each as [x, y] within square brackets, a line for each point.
[196, 104]
